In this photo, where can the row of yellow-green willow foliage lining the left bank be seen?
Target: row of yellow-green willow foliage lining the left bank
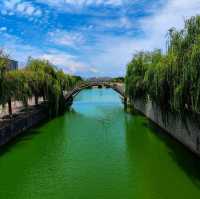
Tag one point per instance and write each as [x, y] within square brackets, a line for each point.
[39, 79]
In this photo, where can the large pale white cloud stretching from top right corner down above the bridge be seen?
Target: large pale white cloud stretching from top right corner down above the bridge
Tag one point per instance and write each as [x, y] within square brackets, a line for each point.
[114, 52]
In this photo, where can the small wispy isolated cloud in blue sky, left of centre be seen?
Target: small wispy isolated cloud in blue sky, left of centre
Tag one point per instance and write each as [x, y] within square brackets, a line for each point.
[65, 38]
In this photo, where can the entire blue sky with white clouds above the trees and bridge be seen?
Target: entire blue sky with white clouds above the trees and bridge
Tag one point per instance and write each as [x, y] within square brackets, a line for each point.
[91, 38]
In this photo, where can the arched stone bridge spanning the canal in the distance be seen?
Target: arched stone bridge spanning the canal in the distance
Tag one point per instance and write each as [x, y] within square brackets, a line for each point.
[119, 89]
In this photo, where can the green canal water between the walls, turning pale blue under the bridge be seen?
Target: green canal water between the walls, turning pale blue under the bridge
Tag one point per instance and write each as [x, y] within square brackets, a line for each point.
[98, 151]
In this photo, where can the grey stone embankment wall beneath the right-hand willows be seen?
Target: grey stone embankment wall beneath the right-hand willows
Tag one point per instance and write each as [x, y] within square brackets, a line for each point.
[185, 132]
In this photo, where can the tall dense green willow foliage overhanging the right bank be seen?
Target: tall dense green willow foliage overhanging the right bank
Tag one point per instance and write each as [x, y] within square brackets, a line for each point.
[172, 80]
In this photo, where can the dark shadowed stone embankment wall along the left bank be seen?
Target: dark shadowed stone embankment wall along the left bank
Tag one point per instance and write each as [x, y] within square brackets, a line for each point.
[22, 122]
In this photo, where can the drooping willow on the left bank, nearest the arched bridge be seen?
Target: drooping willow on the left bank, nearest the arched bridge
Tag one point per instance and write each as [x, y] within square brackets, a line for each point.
[50, 83]
